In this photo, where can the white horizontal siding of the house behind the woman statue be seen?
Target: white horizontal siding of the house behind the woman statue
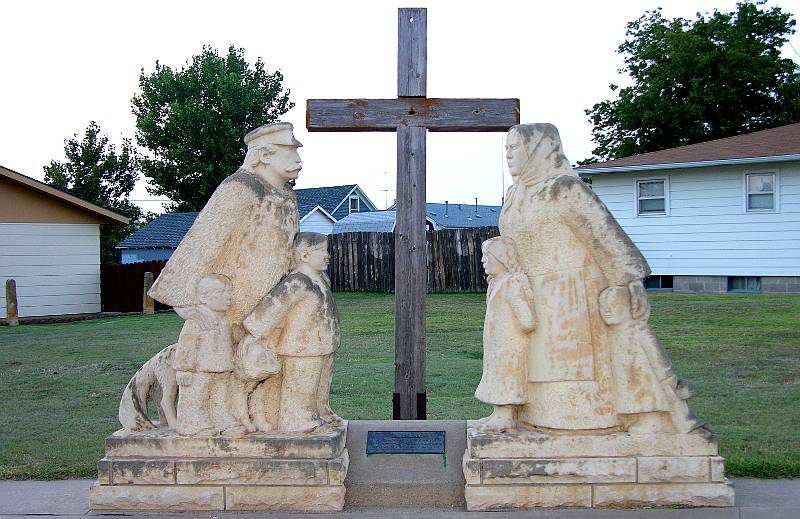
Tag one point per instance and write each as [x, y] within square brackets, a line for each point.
[707, 230]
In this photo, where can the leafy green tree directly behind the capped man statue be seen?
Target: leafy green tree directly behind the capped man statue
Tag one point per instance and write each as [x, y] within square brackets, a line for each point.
[192, 121]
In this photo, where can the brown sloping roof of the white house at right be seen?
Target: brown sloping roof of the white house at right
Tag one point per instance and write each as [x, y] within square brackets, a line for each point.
[783, 141]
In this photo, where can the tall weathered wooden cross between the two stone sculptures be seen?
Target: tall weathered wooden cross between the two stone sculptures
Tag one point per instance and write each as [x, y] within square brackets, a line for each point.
[410, 115]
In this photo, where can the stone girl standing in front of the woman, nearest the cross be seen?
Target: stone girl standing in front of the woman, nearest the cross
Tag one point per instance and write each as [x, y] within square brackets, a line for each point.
[509, 320]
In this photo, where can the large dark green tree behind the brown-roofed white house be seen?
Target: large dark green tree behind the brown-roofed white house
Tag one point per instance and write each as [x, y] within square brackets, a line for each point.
[717, 76]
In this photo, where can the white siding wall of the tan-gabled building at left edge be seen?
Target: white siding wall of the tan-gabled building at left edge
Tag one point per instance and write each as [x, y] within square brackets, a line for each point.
[56, 267]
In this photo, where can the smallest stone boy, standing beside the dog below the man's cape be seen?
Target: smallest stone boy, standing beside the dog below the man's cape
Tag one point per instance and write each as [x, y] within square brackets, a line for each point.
[204, 362]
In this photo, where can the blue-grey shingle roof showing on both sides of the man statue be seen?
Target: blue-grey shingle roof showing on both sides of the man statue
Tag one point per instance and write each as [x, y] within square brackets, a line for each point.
[167, 231]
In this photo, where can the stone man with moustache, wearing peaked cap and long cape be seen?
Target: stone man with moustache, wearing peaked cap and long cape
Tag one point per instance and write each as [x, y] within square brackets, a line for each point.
[244, 232]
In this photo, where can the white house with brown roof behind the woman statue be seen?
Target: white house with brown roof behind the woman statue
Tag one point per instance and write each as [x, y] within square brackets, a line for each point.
[718, 216]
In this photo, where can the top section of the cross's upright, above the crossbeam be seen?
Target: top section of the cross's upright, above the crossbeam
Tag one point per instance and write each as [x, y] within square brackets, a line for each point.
[412, 52]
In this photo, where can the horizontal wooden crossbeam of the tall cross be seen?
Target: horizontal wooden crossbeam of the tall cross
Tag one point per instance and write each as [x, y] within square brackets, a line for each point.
[437, 115]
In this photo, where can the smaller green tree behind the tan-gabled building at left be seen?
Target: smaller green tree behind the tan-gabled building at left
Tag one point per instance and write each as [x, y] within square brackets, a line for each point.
[93, 171]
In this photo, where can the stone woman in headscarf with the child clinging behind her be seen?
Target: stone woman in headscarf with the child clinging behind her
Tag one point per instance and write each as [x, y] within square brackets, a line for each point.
[592, 361]
